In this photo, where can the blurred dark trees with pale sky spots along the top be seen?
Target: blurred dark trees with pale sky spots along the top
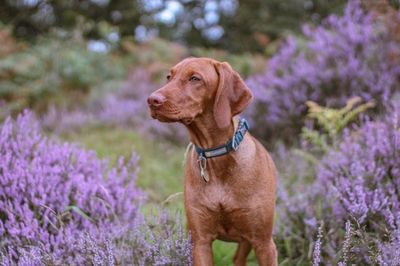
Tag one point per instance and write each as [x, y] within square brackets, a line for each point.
[234, 25]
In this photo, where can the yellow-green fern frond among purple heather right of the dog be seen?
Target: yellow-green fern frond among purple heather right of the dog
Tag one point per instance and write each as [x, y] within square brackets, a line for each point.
[332, 121]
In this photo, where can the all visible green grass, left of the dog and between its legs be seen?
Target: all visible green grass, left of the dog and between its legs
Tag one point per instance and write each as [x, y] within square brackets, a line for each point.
[161, 172]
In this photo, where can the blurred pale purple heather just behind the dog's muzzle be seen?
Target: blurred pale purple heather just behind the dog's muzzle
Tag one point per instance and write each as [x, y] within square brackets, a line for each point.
[125, 107]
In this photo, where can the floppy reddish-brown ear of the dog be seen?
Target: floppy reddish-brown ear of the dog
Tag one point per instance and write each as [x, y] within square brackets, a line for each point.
[232, 95]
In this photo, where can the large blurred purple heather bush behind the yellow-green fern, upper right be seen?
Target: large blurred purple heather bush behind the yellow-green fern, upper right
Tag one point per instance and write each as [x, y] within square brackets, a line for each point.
[346, 56]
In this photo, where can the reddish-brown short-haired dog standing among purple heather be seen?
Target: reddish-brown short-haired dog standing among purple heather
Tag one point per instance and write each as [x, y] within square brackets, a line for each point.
[230, 197]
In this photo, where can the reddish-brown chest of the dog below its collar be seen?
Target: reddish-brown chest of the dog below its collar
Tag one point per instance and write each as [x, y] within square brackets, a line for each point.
[228, 201]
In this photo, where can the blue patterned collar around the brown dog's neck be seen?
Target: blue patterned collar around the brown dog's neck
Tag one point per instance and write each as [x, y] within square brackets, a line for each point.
[231, 145]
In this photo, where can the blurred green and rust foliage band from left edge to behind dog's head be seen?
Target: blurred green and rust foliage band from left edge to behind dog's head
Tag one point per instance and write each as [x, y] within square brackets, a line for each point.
[60, 69]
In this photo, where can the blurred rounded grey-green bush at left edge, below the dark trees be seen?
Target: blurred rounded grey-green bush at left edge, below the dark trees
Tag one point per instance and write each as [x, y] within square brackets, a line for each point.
[53, 67]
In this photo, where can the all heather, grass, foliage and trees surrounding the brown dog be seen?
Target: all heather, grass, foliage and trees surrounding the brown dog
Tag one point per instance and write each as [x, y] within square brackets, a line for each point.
[87, 178]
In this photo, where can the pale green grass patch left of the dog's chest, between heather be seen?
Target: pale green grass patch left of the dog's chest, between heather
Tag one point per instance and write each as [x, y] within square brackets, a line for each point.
[161, 166]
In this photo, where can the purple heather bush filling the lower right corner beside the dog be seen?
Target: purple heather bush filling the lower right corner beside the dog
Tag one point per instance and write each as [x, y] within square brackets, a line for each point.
[352, 188]
